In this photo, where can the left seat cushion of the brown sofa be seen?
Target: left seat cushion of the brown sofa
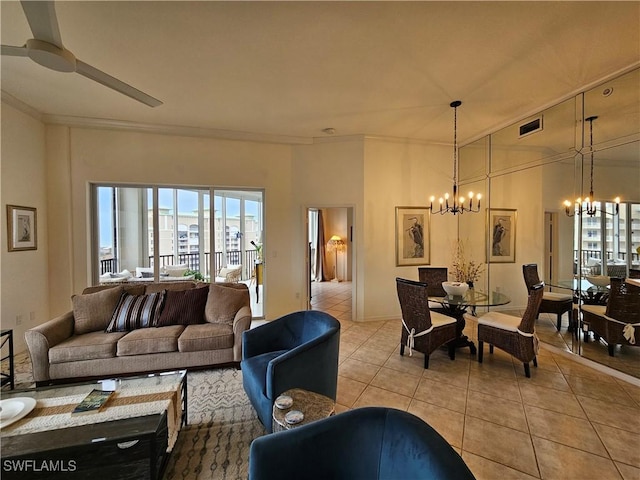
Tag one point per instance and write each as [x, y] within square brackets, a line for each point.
[89, 346]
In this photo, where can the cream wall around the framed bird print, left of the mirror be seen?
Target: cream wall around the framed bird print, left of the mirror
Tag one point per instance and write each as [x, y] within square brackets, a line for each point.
[399, 174]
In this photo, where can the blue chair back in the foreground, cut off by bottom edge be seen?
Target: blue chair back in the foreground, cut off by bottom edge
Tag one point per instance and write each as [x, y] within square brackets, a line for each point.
[363, 444]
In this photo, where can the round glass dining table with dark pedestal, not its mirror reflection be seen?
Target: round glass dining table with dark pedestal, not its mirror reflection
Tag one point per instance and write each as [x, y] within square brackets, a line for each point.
[456, 306]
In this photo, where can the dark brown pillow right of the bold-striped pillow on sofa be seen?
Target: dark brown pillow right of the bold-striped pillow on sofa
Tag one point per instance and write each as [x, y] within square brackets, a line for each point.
[185, 307]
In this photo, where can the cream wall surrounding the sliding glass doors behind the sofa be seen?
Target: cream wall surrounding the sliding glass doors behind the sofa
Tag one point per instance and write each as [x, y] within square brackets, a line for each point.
[81, 156]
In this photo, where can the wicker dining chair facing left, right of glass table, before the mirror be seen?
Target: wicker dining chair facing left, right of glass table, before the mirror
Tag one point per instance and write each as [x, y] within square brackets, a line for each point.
[512, 334]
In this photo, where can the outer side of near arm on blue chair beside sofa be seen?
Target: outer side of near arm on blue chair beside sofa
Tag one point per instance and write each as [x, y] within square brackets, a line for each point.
[311, 366]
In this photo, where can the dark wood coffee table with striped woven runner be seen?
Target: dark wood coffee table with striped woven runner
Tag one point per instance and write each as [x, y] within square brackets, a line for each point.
[133, 434]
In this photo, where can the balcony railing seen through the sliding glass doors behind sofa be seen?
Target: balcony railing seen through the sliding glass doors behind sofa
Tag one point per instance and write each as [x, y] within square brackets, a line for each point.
[192, 260]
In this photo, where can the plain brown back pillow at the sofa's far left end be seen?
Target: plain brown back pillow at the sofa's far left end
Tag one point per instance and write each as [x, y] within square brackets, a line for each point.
[93, 311]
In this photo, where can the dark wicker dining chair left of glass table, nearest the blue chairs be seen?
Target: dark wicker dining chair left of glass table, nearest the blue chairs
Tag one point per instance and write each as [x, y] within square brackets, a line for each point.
[422, 329]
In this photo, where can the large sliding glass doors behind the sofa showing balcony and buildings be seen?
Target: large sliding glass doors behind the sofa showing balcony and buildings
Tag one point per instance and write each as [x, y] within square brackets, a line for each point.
[131, 223]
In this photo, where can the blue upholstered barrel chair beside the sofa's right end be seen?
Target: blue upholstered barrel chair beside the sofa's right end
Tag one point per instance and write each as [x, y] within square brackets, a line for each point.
[299, 350]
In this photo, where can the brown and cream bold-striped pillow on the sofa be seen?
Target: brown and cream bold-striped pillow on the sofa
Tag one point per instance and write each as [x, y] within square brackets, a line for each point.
[136, 311]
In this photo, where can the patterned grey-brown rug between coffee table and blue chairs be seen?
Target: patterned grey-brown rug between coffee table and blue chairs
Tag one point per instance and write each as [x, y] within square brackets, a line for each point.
[222, 425]
